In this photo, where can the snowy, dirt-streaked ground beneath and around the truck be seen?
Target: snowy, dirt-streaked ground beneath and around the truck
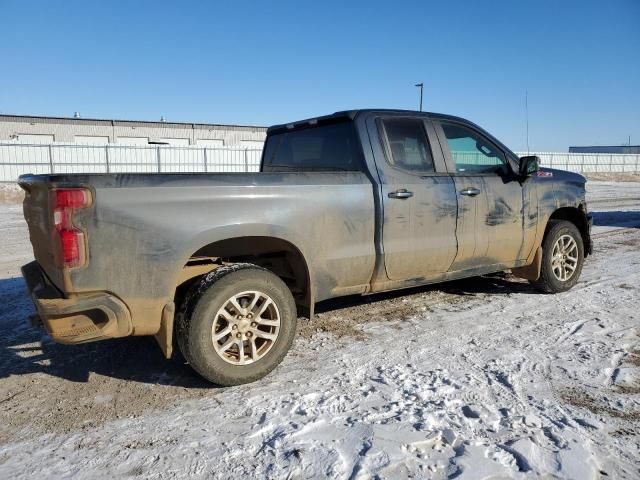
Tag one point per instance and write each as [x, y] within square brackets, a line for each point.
[482, 378]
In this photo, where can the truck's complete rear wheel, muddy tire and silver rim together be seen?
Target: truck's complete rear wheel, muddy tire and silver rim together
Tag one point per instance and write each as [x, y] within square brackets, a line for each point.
[236, 324]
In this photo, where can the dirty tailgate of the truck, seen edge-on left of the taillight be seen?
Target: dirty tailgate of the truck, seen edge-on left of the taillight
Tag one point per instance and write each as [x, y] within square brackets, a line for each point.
[37, 213]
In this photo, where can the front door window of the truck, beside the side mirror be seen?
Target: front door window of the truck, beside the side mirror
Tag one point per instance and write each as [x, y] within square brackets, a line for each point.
[472, 152]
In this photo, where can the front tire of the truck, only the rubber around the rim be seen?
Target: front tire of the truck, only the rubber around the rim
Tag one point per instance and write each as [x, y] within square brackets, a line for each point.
[548, 281]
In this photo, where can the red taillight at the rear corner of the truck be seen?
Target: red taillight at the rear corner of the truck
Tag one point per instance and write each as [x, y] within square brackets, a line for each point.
[70, 251]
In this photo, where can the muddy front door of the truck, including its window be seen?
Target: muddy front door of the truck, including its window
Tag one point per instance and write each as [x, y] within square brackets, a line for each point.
[490, 198]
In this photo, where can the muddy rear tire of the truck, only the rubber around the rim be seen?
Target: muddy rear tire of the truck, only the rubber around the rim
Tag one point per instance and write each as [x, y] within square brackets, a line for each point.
[196, 315]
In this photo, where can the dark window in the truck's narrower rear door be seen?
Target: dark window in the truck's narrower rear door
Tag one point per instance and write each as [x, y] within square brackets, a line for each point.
[408, 144]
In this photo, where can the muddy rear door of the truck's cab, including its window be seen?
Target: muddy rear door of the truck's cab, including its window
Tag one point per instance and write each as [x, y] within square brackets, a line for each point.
[418, 198]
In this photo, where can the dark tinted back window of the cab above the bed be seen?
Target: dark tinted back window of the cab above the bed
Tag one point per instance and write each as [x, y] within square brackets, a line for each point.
[324, 148]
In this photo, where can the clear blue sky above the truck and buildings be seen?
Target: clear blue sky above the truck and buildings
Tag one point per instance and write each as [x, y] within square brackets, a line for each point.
[272, 62]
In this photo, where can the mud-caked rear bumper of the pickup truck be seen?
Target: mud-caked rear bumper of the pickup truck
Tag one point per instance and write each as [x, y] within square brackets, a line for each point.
[77, 319]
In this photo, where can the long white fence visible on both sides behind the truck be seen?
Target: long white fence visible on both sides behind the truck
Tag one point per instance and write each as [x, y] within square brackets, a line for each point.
[18, 158]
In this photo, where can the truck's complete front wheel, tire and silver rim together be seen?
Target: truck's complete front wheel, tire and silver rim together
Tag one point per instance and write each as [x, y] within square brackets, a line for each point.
[562, 257]
